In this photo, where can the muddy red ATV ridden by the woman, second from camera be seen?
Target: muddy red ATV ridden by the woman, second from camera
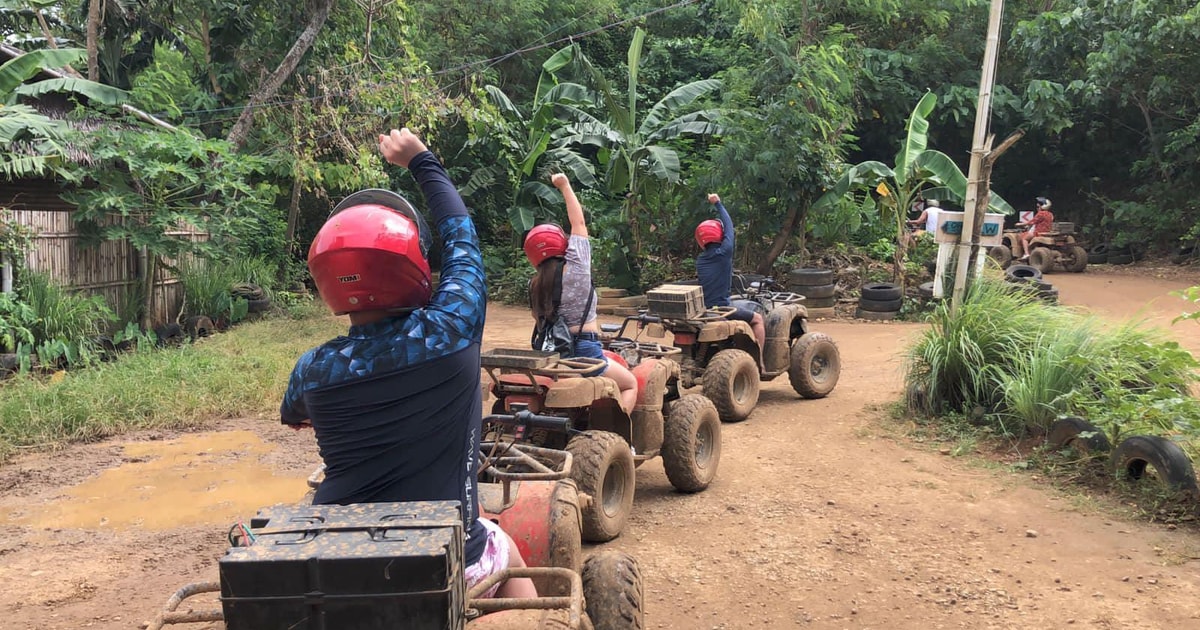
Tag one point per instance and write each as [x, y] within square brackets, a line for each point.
[580, 413]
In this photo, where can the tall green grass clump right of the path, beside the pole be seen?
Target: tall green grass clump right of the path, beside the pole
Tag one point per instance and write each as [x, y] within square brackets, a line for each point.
[1027, 364]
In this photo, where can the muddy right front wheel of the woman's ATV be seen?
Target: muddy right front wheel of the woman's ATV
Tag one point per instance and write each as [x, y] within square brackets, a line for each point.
[692, 443]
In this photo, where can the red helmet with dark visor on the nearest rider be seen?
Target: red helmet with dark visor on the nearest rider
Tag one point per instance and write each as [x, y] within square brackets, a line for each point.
[371, 255]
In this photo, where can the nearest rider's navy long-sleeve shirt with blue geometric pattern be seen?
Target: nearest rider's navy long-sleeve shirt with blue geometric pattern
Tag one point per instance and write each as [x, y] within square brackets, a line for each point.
[397, 404]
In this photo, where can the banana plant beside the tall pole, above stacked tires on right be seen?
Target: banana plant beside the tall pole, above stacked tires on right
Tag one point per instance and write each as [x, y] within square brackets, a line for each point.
[917, 171]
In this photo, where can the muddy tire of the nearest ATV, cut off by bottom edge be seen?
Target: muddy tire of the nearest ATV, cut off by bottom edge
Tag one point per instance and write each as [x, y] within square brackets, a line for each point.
[614, 592]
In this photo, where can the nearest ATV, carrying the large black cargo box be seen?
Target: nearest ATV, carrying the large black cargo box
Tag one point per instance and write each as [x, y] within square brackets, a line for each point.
[524, 489]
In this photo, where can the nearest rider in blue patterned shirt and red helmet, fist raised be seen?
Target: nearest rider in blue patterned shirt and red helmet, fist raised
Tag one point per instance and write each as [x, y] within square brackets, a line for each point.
[395, 403]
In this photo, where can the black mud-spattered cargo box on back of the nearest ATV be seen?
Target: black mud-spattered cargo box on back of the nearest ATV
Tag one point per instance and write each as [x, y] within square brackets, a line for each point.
[369, 567]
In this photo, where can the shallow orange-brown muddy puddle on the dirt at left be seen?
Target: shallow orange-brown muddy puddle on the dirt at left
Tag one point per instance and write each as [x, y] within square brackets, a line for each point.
[214, 478]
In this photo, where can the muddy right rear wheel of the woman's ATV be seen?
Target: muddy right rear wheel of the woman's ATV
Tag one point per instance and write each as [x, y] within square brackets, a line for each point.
[603, 470]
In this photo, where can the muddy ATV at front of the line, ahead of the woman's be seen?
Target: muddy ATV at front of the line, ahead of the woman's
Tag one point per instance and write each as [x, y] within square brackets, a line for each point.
[724, 358]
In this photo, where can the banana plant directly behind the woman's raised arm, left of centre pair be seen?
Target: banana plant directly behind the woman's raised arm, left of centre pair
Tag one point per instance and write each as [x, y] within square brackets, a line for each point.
[529, 147]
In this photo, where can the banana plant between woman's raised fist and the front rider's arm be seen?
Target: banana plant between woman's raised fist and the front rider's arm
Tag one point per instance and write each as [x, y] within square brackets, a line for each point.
[639, 157]
